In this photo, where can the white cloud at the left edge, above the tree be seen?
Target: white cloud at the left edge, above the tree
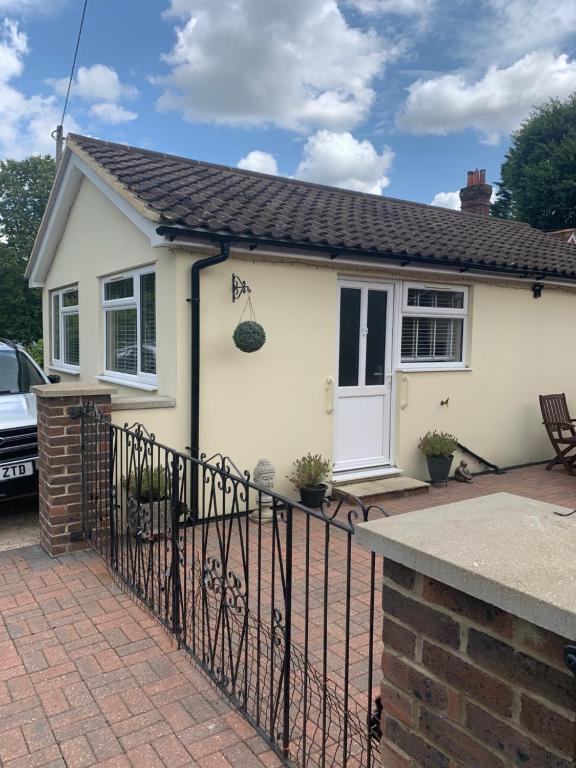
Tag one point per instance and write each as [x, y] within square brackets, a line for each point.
[26, 122]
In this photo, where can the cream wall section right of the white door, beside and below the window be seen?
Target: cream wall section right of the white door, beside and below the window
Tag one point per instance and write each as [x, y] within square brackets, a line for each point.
[520, 348]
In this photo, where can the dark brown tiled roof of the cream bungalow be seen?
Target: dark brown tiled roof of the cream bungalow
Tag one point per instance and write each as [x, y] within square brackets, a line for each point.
[211, 198]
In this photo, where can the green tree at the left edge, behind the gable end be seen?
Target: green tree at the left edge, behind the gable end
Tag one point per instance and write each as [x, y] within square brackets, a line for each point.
[24, 189]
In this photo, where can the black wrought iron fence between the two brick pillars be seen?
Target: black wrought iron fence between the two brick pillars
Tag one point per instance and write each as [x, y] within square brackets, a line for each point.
[271, 598]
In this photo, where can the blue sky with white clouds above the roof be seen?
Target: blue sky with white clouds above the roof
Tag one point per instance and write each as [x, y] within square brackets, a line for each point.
[399, 97]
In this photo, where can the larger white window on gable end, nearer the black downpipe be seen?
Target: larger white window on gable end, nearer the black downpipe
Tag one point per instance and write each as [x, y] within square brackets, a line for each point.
[129, 303]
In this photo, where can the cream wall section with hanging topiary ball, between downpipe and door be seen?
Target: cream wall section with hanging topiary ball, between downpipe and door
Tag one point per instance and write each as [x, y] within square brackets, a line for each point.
[271, 403]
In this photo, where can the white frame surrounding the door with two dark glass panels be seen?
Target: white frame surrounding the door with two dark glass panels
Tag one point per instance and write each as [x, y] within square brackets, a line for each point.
[392, 340]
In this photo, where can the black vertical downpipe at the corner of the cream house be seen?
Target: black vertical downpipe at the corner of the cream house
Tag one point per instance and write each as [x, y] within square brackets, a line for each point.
[195, 358]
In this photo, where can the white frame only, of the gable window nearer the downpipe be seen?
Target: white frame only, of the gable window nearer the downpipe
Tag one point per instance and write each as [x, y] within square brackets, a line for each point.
[150, 380]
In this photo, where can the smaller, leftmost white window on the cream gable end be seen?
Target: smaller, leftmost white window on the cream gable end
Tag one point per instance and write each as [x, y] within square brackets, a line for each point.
[65, 328]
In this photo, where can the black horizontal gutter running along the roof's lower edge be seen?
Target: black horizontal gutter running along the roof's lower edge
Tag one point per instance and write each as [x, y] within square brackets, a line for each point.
[334, 252]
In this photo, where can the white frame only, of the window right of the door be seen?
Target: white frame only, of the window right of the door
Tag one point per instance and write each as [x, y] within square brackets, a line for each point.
[441, 313]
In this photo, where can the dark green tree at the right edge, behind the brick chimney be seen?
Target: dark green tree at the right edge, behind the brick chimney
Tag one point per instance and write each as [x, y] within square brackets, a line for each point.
[539, 171]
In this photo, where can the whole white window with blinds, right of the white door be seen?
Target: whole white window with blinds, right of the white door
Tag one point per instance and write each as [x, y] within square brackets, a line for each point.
[434, 327]
